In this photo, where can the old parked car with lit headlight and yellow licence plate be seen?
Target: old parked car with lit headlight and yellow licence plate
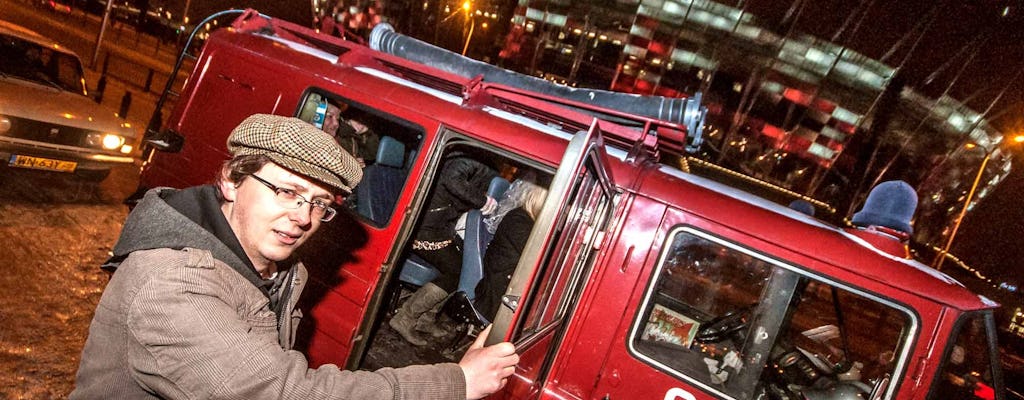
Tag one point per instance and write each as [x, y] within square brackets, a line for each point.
[48, 120]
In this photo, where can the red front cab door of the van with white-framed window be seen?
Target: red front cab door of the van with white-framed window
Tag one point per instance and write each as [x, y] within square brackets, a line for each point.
[717, 315]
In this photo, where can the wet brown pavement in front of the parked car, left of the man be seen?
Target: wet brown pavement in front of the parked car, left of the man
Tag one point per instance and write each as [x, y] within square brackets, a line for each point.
[56, 232]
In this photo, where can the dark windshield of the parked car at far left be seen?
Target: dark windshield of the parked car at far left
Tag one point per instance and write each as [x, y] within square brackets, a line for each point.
[42, 65]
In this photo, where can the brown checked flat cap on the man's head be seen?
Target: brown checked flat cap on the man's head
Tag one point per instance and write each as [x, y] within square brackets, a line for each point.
[296, 146]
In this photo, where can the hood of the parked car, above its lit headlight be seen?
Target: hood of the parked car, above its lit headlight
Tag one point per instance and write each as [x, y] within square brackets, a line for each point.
[27, 100]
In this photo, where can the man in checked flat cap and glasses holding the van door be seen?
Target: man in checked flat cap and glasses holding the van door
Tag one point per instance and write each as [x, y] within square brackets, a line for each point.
[203, 301]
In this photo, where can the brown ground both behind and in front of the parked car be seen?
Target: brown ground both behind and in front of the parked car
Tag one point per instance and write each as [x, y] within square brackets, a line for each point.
[57, 230]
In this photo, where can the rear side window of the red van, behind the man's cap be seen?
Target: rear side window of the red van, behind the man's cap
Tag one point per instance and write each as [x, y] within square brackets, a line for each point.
[385, 147]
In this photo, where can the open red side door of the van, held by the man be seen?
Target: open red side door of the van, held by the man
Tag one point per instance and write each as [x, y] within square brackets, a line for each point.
[557, 261]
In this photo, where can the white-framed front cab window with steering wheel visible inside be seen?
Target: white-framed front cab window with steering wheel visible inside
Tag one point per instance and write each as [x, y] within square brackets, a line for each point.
[742, 325]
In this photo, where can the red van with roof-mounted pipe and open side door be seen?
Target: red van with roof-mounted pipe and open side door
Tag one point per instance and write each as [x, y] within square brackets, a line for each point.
[639, 280]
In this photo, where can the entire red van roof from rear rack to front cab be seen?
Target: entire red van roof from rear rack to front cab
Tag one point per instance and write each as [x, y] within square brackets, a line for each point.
[835, 250]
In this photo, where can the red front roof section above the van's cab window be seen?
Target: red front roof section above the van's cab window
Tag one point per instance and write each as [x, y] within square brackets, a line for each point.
[834, 247]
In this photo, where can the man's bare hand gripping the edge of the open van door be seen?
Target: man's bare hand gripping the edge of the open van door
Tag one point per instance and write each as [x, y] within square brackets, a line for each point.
[488, 369]
